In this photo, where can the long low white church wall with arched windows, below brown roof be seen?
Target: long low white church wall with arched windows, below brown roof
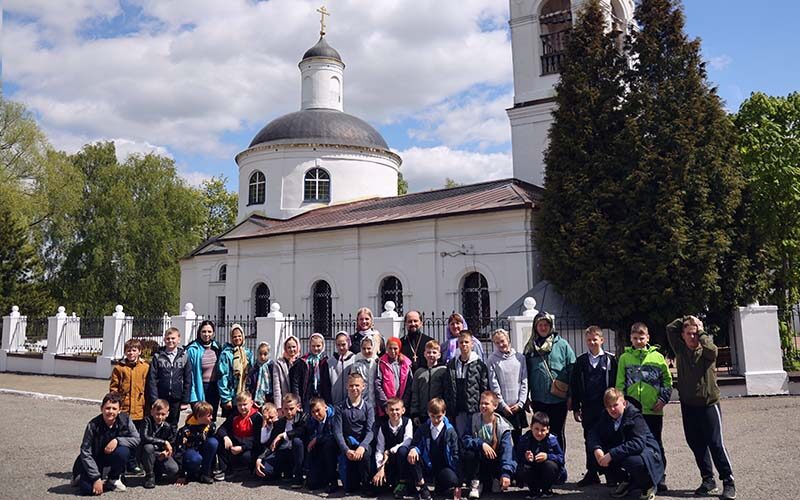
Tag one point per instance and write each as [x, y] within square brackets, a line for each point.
[354, 261]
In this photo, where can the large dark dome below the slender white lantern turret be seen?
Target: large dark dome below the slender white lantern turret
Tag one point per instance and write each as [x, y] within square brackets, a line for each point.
[320, 126]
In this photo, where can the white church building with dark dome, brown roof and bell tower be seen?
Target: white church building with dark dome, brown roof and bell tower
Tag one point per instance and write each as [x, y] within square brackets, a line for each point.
[322, 231]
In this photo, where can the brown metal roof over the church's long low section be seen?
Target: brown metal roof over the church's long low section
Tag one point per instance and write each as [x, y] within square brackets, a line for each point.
[482, 197]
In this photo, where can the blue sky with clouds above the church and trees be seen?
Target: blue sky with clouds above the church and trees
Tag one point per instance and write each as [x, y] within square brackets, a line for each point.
[197, 80]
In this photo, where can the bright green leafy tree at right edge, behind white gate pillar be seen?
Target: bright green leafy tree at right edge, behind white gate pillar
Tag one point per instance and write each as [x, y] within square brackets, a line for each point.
[770, 150]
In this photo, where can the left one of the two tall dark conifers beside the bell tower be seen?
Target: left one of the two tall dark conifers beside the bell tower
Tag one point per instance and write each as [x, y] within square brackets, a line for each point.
[584, 182]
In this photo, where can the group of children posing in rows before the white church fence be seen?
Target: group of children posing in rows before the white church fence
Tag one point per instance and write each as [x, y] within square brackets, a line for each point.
[372, 423]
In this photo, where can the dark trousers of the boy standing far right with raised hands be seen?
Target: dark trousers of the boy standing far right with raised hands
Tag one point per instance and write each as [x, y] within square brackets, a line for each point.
[702, 426]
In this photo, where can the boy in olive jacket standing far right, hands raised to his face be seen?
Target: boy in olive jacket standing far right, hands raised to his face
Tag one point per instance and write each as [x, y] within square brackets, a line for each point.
[696, 356]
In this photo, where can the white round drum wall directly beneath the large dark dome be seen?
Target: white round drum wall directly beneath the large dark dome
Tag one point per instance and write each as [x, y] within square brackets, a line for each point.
[355, 174]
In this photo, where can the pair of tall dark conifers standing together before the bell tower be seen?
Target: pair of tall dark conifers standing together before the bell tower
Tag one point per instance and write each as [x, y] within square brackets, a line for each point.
[643, 217]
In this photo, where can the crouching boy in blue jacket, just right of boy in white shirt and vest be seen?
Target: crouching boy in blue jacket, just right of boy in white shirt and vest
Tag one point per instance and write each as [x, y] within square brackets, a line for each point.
[434, 454]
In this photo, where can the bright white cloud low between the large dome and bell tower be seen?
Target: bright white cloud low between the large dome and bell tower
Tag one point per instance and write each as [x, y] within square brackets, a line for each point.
[427, 168]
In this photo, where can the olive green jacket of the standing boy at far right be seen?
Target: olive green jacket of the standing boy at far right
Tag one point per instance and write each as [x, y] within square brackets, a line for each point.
[697, 368]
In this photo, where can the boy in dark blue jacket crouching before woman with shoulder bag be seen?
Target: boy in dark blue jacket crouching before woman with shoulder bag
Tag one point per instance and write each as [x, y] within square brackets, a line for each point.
[540, 458]
